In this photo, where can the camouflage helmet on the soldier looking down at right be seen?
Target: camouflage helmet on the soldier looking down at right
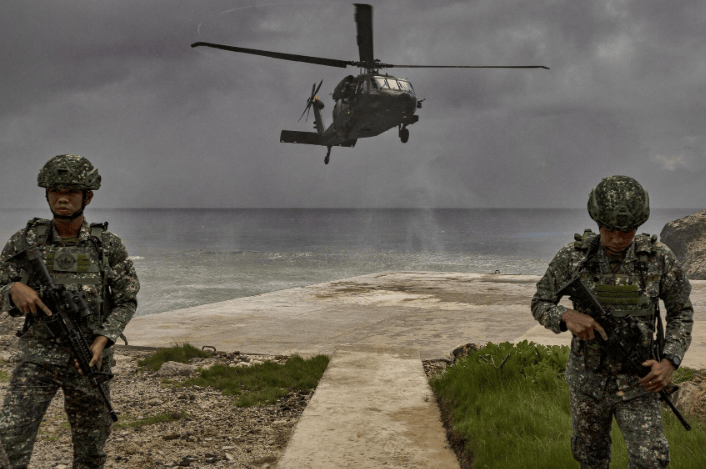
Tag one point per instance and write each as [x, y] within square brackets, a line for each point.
[619, 203]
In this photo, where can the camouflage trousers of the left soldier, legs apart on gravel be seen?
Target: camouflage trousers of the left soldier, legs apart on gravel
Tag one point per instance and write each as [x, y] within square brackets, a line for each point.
[29, 394]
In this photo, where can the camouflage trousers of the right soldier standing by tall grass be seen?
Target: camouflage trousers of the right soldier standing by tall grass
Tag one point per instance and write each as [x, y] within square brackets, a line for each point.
[639, 419]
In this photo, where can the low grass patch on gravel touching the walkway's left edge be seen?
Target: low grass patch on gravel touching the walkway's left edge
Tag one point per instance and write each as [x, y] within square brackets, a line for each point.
[263, 383]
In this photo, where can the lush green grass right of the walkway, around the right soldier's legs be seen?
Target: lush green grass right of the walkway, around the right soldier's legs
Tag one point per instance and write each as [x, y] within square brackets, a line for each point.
[511, 405]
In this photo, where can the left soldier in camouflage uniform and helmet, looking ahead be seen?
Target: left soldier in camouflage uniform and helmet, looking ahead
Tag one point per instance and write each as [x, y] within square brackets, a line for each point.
[79, 256]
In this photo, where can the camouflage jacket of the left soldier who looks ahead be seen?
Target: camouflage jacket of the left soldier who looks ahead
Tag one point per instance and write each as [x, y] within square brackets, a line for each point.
[113, 305]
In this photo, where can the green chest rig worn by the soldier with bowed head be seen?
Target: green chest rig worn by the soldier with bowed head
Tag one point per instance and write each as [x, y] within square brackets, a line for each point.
[622, 292]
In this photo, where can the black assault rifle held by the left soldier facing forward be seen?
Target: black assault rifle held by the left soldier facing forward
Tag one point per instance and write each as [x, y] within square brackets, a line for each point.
[67, 306]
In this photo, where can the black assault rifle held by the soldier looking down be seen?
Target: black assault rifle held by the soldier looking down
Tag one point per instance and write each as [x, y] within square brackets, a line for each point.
[622, 334]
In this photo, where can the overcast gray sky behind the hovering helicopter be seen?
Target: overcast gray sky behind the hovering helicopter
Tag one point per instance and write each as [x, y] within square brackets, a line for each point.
[172, 126]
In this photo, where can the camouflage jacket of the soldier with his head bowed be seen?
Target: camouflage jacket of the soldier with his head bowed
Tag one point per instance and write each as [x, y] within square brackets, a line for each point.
[658, 275]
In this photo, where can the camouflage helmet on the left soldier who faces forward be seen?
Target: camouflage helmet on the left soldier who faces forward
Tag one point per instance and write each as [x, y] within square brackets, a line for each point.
[69, 171]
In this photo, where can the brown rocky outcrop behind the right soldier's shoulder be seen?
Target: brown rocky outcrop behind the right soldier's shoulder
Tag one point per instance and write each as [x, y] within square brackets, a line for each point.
[687, 238]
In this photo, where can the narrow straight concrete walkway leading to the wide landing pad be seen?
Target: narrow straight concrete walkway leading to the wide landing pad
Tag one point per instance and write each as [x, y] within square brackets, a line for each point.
[373, 408]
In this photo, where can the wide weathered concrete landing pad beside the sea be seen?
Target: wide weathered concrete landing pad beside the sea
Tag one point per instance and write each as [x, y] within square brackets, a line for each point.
[429, 311]
